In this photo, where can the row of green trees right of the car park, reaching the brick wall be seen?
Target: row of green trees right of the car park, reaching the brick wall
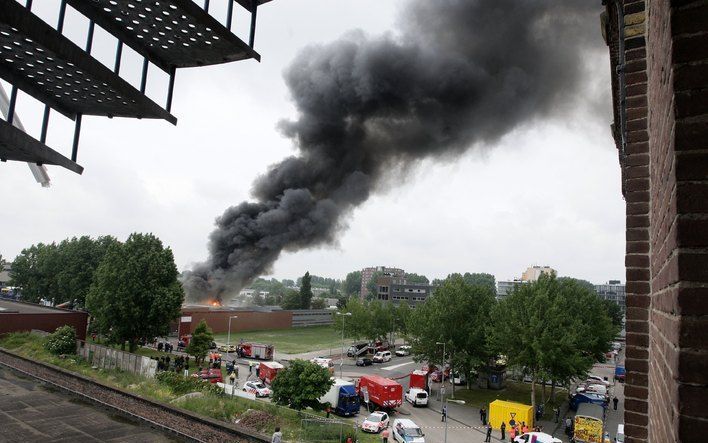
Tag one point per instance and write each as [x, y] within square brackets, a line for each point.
[553, 329]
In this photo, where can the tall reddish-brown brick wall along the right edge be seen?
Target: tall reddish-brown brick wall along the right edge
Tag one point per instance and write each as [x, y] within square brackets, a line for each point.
[665, 184]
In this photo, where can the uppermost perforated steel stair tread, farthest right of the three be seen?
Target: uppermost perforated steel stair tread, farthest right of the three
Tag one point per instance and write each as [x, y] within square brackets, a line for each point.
[169, 33]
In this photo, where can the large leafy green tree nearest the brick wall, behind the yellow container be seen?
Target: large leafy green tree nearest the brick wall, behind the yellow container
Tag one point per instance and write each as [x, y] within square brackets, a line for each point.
[565, 329]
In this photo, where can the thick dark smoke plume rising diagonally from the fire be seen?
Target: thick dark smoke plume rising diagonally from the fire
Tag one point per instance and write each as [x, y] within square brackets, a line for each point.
[460, 74]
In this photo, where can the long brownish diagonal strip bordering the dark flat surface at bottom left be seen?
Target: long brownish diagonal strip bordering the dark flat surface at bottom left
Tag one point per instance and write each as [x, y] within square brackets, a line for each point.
[174, 421]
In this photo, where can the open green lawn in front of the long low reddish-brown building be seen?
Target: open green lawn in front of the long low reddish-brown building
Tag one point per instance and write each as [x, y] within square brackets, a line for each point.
[293, 341]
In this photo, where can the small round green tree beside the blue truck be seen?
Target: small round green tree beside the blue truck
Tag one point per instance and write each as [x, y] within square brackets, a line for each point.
[301, 384]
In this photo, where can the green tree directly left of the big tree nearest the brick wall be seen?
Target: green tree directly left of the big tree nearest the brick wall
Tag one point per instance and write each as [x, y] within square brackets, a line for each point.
[457, 315]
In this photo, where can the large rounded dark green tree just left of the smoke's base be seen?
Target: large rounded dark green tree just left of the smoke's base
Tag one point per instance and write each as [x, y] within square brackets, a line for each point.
[135, 293]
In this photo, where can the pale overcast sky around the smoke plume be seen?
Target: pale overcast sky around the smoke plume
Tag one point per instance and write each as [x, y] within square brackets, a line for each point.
[547, 194]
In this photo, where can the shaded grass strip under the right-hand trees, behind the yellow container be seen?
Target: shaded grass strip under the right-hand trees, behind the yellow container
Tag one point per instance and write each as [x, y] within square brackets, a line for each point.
[513, 391]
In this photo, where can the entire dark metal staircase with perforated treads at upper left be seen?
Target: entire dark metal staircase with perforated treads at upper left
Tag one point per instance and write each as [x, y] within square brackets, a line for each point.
[39, 60]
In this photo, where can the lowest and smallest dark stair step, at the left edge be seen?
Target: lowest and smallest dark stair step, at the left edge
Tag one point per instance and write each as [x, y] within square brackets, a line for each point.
[16, 145]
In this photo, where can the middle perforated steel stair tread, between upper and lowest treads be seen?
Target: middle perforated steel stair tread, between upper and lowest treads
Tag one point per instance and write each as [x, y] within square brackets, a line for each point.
[48, 66]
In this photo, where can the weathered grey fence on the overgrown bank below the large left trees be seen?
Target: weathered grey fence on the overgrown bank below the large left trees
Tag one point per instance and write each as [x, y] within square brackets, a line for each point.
[110, 358]
